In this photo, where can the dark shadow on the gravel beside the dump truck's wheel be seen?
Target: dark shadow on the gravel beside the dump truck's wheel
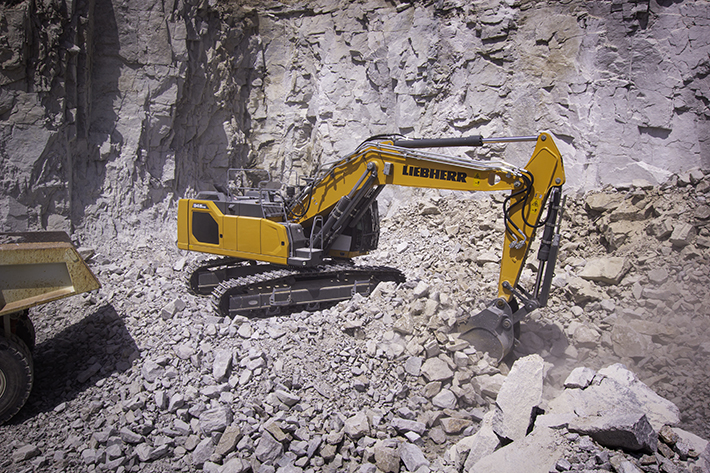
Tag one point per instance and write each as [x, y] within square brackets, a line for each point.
[78, 357]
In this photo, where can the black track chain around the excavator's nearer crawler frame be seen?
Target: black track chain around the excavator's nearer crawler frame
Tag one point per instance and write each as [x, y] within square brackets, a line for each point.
[221, 294]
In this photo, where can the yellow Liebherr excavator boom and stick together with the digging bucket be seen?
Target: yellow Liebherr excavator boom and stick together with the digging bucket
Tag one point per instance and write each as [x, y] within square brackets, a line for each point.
[340, 193]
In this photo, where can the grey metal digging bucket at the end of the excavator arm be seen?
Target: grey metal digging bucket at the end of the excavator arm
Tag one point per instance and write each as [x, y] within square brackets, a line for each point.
[491, 330]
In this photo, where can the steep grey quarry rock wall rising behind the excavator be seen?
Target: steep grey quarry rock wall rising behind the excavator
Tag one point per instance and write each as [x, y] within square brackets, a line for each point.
[110, 110]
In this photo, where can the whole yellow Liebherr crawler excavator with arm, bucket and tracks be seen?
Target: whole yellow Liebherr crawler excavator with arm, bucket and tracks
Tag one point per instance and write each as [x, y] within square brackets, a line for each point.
[293, 250]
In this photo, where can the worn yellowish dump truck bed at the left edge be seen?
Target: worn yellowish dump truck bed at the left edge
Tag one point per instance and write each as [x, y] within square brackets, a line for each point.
[39, 267]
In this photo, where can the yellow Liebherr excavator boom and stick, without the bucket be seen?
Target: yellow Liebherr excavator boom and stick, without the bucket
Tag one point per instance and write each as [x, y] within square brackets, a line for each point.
[352, 183]
